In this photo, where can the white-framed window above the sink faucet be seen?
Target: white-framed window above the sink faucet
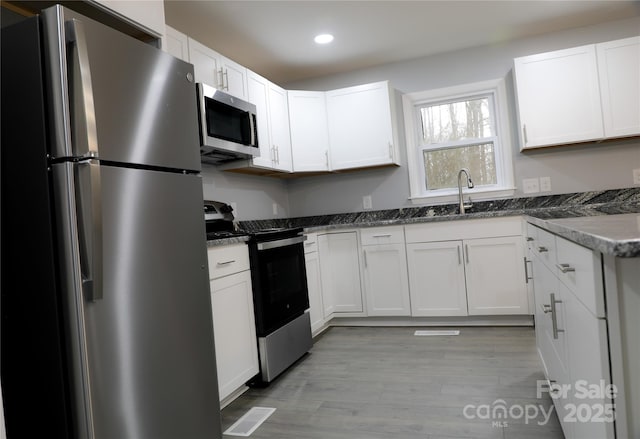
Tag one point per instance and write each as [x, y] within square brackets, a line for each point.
[454, 128]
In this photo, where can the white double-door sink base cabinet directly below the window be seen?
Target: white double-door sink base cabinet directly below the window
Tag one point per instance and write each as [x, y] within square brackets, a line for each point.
[480, 274]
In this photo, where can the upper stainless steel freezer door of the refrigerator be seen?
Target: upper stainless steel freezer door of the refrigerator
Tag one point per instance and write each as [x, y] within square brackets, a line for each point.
[143, 100]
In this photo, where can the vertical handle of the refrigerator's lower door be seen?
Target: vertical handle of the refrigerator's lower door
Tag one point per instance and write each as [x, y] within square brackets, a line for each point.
[89, 199]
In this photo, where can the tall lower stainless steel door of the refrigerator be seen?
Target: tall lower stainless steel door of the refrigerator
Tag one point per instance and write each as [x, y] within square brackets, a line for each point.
[149, 339]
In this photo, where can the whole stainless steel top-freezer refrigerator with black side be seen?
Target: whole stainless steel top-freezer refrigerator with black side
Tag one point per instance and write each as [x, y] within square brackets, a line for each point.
[106, 317]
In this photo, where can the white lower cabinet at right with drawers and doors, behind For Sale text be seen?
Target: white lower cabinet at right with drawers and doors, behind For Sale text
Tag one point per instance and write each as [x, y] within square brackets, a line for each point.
[571, 334]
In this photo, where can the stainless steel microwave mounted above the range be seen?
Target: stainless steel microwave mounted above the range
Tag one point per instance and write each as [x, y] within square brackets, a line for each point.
[228, 126]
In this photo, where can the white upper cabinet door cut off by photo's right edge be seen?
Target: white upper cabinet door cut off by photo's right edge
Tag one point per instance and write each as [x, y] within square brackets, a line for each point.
[619, 72]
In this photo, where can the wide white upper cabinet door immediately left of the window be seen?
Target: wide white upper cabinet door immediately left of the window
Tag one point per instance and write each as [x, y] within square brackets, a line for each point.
[361, 128]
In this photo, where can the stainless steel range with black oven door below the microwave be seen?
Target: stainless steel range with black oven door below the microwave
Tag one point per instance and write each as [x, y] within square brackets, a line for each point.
[280, 295]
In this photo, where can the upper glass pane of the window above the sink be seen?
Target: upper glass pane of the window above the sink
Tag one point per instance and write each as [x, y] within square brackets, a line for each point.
[461, 120]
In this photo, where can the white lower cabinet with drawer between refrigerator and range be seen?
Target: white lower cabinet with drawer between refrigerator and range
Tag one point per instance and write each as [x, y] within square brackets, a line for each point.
[233, 317]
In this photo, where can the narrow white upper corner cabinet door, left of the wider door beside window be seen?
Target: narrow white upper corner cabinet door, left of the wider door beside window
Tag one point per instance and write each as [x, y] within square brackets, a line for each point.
[309, 131]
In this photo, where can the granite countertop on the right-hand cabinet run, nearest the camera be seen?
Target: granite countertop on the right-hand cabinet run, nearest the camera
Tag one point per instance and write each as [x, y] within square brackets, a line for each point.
[616, 235]
